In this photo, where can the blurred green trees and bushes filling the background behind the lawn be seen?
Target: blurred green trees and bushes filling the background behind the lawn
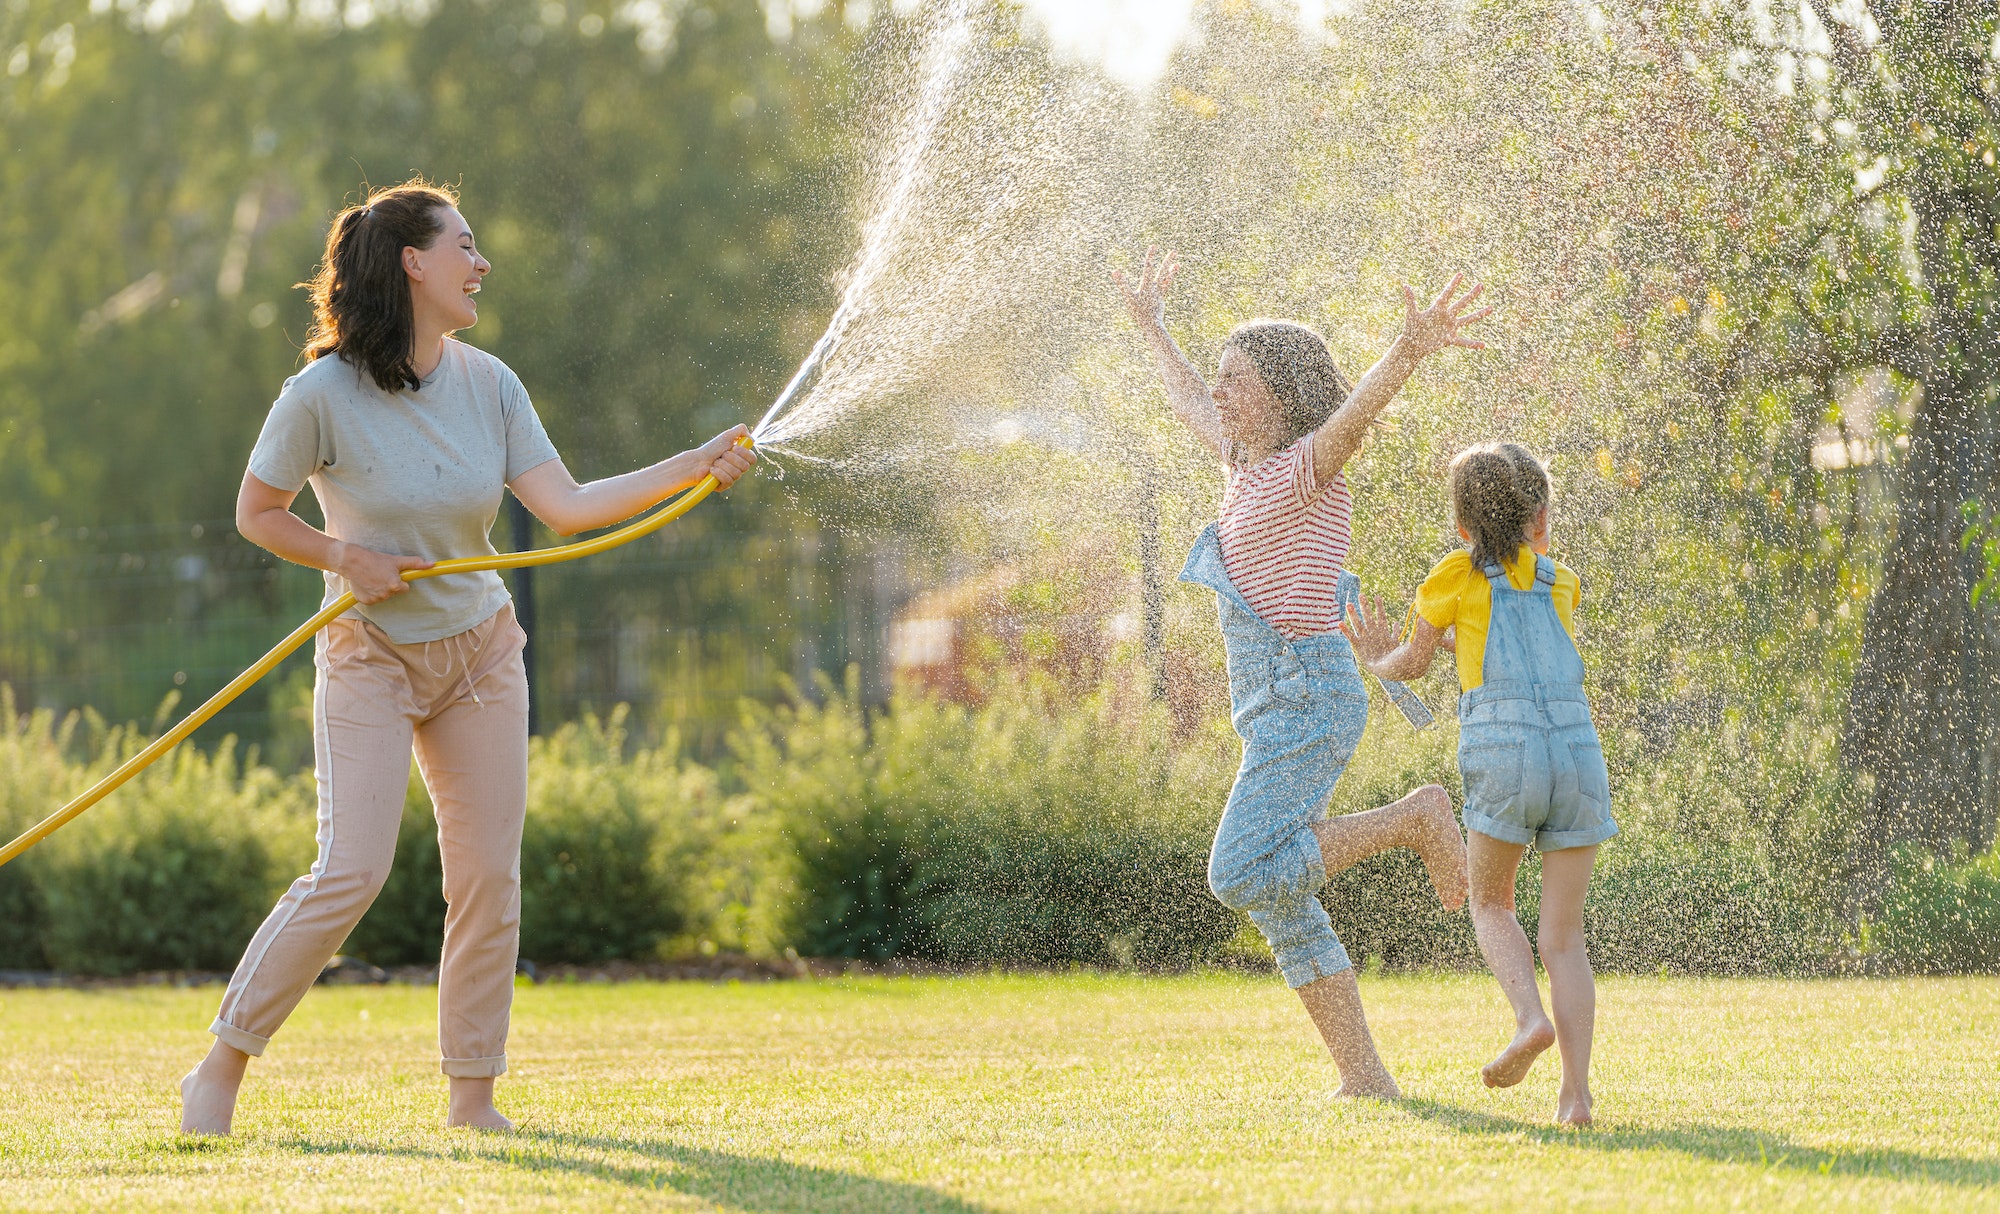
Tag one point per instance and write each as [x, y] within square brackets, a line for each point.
[1751, 273]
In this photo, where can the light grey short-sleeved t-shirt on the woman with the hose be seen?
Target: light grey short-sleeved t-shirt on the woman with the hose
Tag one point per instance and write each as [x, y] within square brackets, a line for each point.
[409, 473]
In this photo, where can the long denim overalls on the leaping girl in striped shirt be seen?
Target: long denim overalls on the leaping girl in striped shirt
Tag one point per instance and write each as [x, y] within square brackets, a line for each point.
[1301, 709]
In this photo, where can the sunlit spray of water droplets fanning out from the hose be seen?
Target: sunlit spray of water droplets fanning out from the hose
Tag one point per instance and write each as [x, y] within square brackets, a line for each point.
[983, 385]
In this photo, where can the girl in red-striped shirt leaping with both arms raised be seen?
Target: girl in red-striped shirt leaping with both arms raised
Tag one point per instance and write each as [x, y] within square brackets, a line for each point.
[1285, 425]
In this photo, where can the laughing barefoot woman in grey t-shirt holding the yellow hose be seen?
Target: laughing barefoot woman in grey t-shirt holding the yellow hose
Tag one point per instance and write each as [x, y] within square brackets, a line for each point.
[409, 439]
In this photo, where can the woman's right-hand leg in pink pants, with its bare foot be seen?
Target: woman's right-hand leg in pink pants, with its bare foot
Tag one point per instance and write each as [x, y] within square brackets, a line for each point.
[475, 761]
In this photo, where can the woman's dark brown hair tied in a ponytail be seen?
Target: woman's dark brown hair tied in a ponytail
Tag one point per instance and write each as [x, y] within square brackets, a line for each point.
[361, 295]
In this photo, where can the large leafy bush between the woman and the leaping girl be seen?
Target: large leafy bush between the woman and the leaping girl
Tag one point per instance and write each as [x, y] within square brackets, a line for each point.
[995, 835]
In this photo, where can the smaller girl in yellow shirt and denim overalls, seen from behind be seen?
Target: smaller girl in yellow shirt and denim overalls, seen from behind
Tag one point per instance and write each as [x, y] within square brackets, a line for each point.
[1527, 747]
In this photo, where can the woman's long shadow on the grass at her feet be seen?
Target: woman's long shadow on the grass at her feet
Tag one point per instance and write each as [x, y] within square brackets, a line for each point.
[735, 1181]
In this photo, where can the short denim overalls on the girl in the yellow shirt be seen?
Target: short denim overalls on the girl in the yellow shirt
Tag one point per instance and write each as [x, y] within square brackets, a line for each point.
[1531, 757]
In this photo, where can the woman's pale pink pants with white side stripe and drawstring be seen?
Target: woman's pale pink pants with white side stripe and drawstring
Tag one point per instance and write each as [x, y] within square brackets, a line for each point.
[463, 701]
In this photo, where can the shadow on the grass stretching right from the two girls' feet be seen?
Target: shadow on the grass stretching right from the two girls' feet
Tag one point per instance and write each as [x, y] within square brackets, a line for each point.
[1725, 1145]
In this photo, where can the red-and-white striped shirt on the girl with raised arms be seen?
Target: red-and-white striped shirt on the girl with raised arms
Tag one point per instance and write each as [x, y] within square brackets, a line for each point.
[1285, 539]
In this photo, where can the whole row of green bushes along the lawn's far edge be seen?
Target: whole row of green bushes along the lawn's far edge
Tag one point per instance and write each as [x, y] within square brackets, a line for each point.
[1015, 833]
